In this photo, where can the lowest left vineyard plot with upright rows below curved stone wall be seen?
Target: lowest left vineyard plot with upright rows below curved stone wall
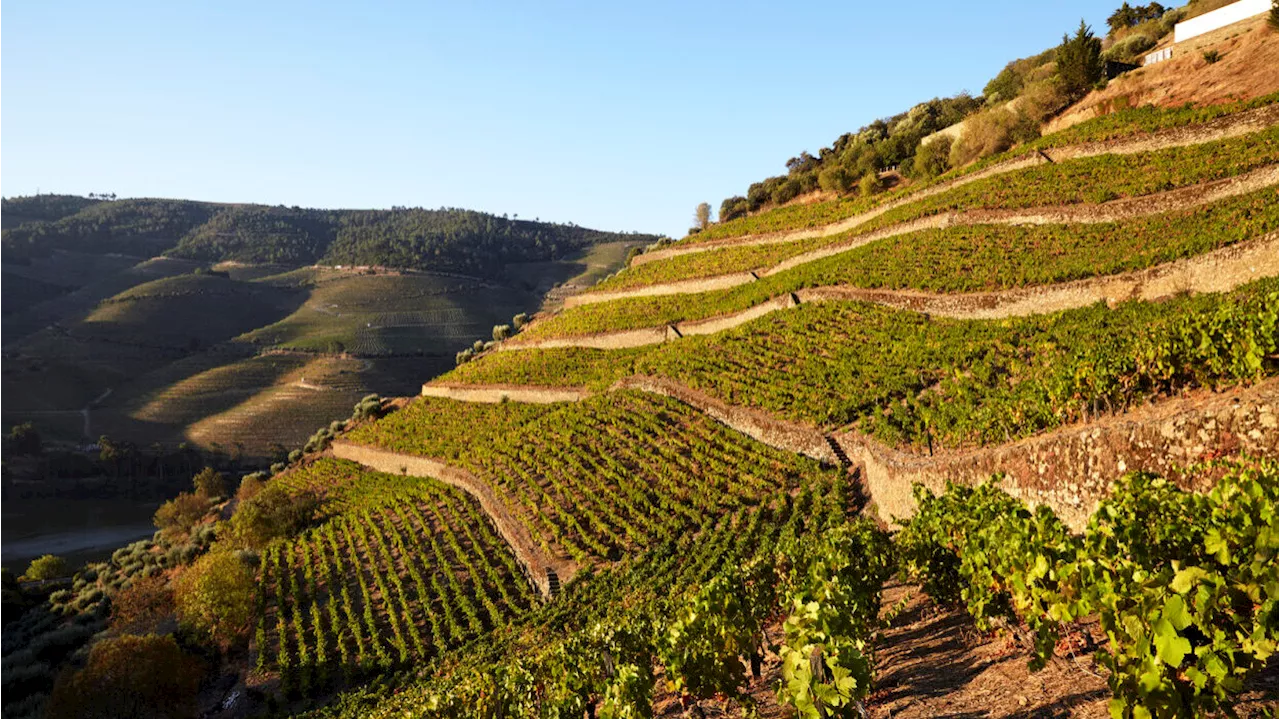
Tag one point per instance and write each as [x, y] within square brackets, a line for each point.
[406, 570]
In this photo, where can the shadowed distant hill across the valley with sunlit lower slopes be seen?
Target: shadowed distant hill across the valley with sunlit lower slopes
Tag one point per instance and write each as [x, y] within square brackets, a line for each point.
[108, 328]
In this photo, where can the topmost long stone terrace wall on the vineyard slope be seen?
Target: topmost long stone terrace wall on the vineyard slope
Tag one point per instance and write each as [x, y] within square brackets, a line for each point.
[1222, 129]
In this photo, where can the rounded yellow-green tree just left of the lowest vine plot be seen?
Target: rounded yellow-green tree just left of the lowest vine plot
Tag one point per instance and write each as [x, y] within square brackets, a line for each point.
[216, 597]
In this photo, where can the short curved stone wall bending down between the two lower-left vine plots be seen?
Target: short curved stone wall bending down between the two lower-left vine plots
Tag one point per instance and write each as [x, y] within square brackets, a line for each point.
[528, 552]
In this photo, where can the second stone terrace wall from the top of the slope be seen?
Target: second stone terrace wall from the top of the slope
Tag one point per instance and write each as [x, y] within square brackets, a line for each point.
[1117, 210]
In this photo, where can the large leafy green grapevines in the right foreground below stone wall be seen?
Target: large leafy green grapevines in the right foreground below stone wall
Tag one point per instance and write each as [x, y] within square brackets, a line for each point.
[1187, 587]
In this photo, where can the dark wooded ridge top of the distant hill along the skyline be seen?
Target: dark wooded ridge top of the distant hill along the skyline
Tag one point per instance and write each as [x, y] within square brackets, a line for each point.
[446, 240]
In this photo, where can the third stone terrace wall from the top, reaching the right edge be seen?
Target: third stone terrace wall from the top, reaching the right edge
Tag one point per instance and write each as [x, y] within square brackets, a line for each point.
[1220, 271]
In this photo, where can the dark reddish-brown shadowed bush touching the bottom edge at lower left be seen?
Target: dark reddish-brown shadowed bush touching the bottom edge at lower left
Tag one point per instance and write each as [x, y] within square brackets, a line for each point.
[130, 676]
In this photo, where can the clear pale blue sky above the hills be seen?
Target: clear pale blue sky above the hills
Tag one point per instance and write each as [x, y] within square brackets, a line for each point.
[619, 116]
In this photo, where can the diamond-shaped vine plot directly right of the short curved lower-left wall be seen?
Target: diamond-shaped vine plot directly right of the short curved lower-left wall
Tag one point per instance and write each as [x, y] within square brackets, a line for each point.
[619, 474]
